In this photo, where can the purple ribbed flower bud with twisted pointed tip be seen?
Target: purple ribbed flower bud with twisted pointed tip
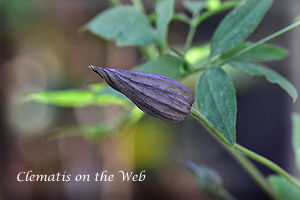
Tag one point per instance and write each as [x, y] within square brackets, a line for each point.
[157, 95]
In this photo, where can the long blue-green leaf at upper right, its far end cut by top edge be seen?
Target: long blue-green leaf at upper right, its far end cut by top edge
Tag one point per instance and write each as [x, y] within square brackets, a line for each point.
[238, 25]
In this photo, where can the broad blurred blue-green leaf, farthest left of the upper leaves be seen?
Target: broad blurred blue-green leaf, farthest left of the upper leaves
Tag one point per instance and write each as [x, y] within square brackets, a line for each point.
[123, 24]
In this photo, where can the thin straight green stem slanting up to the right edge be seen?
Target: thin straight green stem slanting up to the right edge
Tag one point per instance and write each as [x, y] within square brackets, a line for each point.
[260, 42]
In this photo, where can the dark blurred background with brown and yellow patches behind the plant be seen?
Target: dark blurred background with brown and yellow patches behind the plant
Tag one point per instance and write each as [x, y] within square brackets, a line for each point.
[41, 49]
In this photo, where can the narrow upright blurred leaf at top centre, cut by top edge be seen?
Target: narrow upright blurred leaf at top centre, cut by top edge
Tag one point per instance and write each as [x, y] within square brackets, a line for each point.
[165, 12]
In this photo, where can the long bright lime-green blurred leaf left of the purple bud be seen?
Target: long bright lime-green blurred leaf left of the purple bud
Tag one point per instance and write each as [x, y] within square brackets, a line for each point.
[75, 98]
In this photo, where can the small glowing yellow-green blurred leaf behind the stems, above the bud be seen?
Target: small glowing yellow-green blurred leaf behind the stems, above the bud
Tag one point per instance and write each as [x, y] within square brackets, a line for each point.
[196, 54]
